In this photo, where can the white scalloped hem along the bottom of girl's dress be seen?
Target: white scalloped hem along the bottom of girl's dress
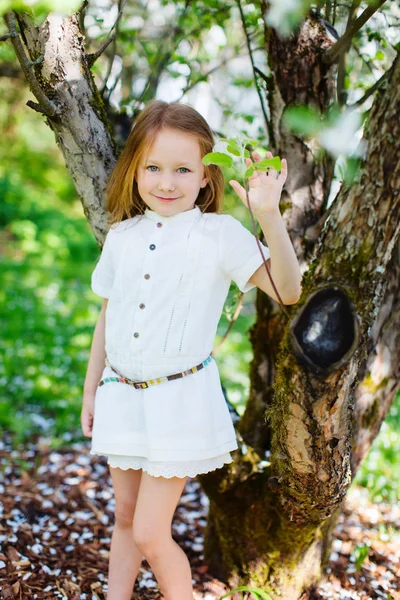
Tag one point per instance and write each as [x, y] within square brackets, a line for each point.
[167, 469]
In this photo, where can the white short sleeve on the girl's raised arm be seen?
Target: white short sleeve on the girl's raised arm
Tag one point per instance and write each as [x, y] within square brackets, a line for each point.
[239, 253]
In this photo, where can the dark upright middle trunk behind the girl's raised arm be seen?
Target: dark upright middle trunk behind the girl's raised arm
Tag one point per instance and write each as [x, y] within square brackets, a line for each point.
[299, 77]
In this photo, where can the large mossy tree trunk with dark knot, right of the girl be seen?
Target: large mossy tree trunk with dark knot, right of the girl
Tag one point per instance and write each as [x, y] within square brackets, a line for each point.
[321, 384]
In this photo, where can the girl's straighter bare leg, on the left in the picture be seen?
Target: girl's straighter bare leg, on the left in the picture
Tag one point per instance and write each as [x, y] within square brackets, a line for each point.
[125, 557]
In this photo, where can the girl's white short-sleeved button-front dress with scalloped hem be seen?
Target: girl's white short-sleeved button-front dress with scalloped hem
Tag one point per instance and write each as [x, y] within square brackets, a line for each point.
[167, 279]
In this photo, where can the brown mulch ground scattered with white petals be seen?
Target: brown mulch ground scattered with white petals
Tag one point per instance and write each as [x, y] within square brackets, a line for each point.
[56, 519]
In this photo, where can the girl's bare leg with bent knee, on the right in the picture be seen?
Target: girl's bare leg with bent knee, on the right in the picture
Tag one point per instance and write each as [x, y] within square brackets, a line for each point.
[156, 504]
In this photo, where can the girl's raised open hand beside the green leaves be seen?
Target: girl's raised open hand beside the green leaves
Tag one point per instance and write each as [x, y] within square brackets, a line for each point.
[265, 187]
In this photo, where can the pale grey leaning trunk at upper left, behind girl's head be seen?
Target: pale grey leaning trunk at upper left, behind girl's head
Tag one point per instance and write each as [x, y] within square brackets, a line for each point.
[81, 130]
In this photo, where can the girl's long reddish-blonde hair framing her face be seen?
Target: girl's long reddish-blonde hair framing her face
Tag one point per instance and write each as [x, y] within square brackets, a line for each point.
[123, 199]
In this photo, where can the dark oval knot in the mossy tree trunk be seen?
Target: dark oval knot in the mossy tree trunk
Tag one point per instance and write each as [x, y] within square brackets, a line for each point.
[324, 333]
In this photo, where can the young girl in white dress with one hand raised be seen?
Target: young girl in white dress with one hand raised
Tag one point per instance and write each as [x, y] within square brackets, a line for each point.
[156, 409]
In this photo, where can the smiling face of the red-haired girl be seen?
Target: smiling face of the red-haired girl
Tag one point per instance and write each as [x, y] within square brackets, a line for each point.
[172, 170]
